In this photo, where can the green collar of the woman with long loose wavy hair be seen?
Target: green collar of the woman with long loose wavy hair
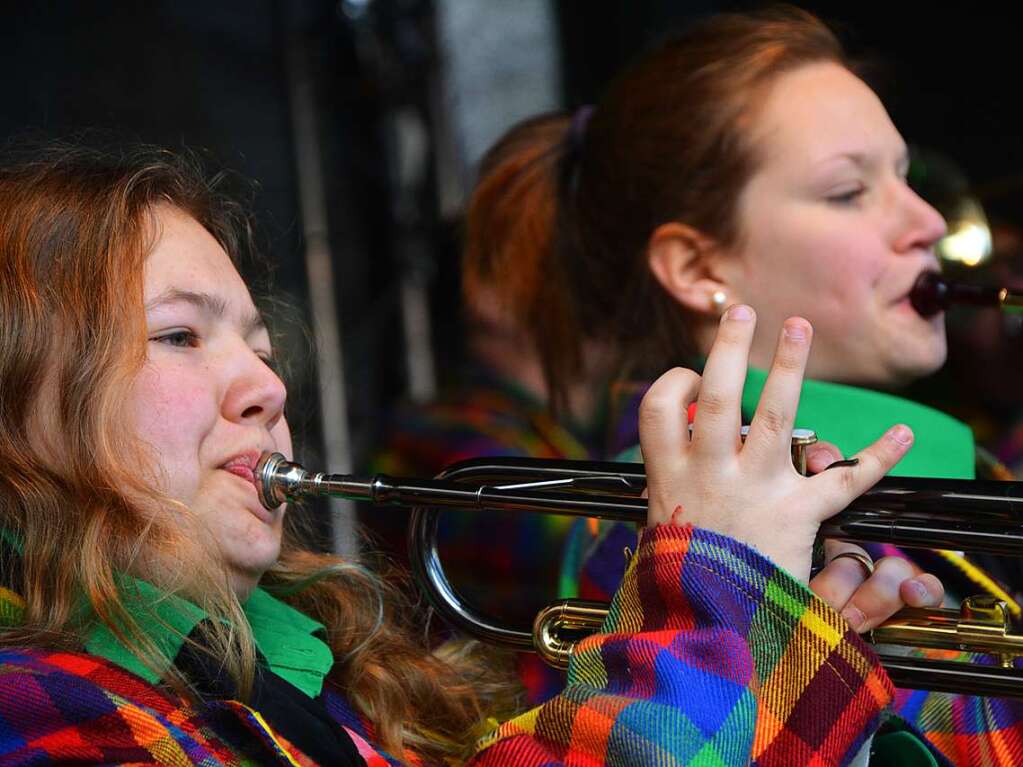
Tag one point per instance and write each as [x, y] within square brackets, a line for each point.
[290, 641]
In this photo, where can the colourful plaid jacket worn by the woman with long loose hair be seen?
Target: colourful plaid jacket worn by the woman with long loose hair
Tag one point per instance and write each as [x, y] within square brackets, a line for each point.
[710, 656]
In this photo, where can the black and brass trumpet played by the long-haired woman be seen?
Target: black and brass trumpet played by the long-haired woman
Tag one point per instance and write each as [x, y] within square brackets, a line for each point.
[962, 515]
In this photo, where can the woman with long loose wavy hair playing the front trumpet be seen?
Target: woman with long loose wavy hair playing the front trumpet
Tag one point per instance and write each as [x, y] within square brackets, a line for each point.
[155, 613]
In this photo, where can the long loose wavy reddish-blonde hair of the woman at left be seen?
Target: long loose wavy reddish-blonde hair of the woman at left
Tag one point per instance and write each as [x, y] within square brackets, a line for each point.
[76, 227]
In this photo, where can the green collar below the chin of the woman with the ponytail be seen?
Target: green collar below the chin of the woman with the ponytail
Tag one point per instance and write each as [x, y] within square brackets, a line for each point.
[853, 419]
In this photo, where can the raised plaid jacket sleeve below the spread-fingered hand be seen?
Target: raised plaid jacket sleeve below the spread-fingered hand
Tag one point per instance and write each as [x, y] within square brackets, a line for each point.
[710, 655]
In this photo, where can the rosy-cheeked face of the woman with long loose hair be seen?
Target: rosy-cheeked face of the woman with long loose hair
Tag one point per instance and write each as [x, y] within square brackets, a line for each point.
[208, 401]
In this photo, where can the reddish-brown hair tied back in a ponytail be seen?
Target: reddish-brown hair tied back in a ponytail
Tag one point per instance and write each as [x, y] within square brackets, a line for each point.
[561, 219]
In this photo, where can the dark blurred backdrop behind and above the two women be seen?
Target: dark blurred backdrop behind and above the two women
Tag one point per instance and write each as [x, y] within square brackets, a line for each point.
[360, 124]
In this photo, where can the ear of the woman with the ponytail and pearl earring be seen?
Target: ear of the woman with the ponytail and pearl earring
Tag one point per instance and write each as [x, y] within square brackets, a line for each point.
[684, 260]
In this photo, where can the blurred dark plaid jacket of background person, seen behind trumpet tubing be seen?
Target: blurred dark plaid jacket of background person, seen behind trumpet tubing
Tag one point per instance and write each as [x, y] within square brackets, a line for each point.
[483, 418]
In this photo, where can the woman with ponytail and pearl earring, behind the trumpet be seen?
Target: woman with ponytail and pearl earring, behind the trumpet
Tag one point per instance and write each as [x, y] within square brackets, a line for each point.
[742, 163]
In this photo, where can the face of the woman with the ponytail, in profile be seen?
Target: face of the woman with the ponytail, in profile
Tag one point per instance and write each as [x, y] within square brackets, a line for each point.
[833, 234]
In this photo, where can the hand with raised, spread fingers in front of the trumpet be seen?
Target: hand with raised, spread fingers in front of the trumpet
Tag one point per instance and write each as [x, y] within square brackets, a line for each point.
[749, 491]
